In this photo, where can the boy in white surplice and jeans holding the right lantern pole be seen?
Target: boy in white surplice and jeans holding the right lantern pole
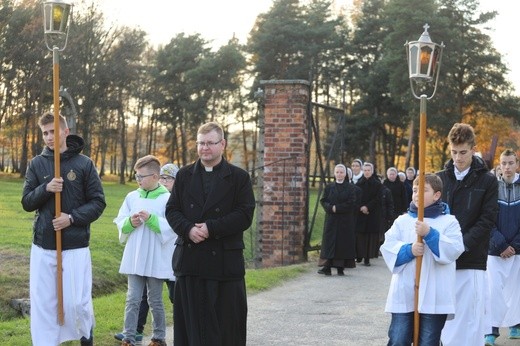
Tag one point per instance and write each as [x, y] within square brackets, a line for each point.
[441, 246]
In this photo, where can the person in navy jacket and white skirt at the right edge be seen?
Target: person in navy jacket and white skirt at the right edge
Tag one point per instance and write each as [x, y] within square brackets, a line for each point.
[503, 262]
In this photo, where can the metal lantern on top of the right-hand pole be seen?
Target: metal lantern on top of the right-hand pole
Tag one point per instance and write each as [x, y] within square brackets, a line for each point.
[424, 58]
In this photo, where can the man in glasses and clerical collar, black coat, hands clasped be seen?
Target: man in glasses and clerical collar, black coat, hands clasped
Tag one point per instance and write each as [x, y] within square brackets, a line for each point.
[211, 206]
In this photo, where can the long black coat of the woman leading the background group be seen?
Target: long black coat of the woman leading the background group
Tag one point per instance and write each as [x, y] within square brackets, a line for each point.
[339, 238]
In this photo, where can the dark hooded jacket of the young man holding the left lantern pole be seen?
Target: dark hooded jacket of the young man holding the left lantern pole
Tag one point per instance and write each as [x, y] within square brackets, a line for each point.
[82, 196]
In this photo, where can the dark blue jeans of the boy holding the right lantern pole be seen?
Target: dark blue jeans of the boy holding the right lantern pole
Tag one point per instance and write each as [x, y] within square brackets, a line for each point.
[400, 332]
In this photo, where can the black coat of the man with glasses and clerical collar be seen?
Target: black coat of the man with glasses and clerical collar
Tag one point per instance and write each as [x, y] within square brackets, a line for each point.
[227, 211]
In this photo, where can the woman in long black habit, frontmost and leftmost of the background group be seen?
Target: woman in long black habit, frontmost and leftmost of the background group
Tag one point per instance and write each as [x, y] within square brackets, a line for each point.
[341, 203]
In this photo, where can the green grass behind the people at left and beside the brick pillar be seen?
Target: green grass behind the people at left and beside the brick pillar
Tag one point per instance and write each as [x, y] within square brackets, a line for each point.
[109, 287]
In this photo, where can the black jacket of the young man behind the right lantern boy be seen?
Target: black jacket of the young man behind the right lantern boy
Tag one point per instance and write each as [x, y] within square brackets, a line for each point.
[474, 202]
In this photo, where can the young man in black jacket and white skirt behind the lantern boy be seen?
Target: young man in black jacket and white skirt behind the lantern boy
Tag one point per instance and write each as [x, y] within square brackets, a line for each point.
[471, 192]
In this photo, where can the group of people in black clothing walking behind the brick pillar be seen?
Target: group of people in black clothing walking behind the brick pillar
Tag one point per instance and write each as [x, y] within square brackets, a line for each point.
[359, 208]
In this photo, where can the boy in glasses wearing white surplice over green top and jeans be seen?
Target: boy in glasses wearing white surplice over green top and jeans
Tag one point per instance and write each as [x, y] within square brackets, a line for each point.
[149, 248]
